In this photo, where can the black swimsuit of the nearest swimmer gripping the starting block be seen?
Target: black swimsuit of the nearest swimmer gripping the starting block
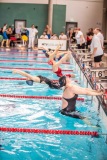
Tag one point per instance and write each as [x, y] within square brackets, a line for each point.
[70, 109]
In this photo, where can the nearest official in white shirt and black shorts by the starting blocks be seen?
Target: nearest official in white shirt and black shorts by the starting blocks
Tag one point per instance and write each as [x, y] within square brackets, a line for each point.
[96, 50]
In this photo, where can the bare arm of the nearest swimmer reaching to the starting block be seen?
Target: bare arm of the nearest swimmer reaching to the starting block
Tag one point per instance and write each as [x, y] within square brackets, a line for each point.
[86, 91]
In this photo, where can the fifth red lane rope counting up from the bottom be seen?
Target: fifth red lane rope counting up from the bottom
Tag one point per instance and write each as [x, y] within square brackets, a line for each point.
[27, 61]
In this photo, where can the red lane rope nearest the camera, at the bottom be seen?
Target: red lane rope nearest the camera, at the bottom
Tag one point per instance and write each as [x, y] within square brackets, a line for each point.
[49, 131]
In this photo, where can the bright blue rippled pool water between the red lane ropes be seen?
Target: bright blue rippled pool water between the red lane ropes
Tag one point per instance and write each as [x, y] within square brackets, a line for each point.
[44, 114]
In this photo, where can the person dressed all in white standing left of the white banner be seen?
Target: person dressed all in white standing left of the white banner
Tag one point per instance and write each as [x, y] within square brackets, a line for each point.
[32, 32]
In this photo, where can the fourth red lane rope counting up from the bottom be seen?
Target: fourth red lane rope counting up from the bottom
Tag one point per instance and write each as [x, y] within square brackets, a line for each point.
[47, 69]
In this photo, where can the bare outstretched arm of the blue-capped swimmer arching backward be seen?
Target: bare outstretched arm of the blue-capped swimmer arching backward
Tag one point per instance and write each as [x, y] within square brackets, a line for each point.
[28, 76]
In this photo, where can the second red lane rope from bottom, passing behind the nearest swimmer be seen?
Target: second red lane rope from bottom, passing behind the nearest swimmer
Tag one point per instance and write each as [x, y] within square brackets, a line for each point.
[36, 97]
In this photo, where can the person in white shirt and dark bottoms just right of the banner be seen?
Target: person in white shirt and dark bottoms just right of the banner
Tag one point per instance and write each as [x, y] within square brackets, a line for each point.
[80, 39]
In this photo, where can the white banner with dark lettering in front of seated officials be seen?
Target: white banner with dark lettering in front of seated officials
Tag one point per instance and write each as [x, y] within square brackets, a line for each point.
[52, 44]
